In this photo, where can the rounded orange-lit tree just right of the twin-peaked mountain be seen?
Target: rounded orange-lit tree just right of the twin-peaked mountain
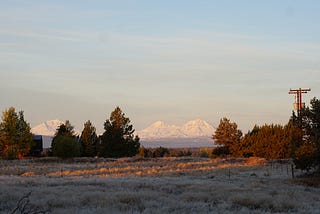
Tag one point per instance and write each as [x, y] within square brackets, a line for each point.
[227, 135]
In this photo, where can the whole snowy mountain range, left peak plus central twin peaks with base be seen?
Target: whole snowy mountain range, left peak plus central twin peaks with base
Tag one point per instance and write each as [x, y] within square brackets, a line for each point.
[195, 133]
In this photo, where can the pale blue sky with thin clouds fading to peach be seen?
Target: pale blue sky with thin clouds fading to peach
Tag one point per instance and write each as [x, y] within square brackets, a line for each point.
[170, 60]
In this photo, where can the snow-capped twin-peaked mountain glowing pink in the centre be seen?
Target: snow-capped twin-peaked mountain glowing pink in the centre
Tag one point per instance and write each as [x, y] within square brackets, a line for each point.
[191, 129]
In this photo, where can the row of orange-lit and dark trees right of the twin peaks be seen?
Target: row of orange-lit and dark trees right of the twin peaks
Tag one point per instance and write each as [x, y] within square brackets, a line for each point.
[299, 139]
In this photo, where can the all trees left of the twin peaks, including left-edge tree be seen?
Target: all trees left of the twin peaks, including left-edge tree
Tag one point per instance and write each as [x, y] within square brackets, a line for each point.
[117, 140]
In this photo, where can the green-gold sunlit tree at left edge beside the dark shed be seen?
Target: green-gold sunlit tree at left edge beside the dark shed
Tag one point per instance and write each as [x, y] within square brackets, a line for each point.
[15, 136]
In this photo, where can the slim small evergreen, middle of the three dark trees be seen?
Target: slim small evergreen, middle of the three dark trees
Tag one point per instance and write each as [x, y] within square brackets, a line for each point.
[89, 140]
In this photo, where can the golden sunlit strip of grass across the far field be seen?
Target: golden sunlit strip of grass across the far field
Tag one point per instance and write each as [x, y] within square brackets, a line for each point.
[125, 168]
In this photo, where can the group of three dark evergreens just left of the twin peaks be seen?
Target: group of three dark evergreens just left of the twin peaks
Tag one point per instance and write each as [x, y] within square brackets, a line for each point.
[117, 140]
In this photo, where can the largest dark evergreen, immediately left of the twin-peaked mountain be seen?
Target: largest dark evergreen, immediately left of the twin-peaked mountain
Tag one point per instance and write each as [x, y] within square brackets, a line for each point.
[118, 139]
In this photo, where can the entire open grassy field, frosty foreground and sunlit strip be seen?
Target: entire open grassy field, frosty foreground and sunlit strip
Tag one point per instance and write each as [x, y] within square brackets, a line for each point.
[166, 185]
